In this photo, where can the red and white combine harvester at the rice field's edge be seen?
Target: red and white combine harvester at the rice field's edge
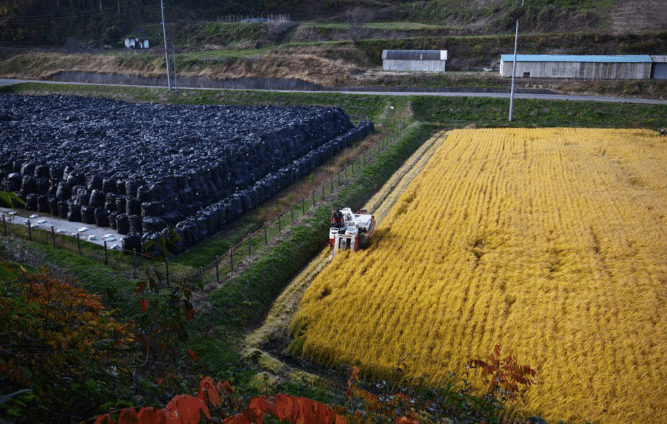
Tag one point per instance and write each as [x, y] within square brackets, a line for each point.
[350, 230]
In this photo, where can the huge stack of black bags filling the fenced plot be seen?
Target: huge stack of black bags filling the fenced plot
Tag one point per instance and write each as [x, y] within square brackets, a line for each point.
[141, 168]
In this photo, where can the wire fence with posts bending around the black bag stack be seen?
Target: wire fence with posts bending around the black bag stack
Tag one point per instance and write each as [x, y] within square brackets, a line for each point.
[135, 264]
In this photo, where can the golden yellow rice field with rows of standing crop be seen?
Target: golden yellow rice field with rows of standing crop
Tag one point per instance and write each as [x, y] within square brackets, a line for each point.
[551, 243]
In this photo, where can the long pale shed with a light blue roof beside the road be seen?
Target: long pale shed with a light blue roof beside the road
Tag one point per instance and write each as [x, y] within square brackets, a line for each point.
[637, 67]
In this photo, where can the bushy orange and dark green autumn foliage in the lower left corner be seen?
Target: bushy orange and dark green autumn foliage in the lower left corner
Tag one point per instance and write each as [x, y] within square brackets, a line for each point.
[58, 342]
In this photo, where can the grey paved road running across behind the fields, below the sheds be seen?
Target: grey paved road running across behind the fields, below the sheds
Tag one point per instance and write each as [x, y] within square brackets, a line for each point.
[505, 95]
